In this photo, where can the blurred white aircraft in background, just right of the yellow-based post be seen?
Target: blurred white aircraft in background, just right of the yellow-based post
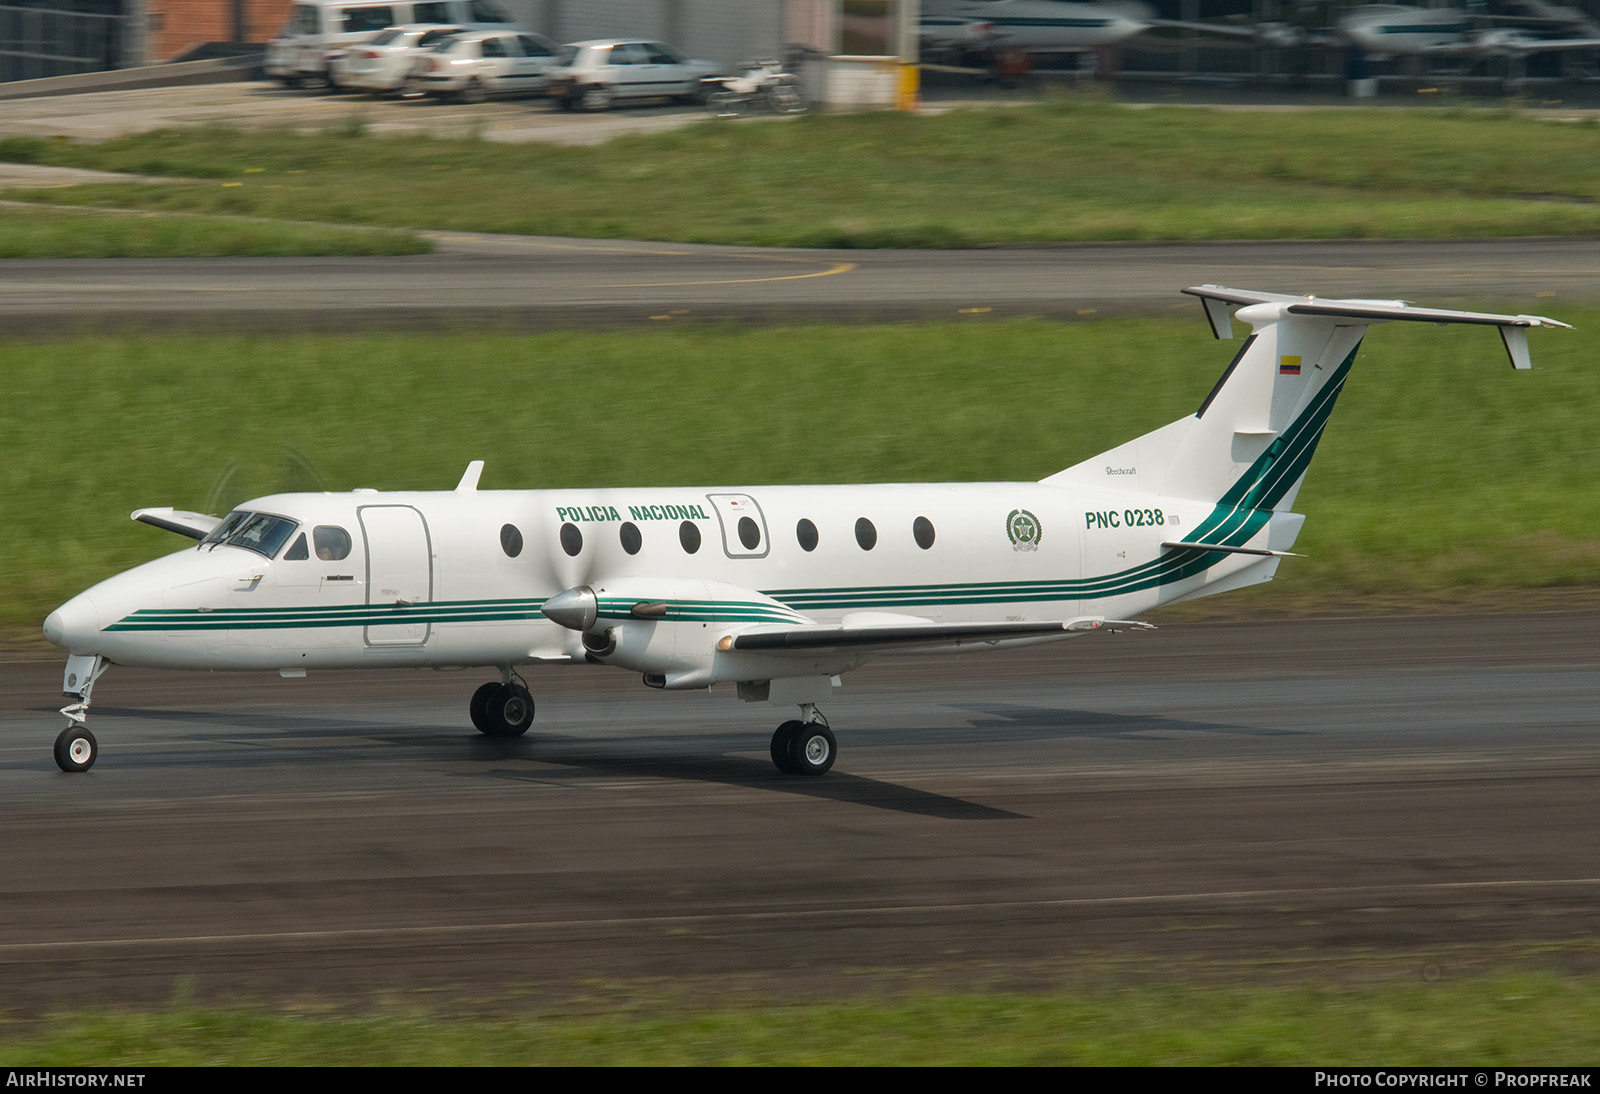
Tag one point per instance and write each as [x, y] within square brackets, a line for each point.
[1031, 26]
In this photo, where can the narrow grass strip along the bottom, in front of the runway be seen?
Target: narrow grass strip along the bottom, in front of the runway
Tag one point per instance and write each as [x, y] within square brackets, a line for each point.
[1521, 1020]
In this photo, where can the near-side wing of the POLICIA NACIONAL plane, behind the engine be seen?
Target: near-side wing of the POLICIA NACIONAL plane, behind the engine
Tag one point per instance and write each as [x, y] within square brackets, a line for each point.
[913, 636]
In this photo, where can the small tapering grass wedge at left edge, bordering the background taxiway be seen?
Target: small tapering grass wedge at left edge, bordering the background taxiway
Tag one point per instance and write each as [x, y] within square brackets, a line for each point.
[46, 233]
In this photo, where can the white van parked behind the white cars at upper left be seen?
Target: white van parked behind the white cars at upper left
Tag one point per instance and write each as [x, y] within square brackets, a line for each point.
[319, 28]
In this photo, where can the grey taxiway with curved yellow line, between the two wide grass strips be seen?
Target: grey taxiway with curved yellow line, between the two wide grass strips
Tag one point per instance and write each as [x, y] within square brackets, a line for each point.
[548, 284]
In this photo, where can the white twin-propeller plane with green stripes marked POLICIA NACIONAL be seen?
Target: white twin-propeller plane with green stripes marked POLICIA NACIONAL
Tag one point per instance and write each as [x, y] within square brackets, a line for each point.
[774, 589]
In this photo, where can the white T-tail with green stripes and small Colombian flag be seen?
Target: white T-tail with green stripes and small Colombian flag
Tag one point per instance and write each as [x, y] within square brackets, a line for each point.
[1247, 449]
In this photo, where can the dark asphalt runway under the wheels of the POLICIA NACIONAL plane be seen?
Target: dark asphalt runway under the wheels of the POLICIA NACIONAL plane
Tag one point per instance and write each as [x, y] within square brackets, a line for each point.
[1319, 799]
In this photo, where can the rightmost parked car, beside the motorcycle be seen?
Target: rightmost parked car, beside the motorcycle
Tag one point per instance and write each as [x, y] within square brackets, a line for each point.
[598, 74]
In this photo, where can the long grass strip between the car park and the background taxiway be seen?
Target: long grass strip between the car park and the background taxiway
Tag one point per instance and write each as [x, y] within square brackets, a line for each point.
[1071, 170]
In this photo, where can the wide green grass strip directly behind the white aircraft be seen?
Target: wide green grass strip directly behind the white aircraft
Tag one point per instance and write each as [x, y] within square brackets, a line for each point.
[1444, 476]
